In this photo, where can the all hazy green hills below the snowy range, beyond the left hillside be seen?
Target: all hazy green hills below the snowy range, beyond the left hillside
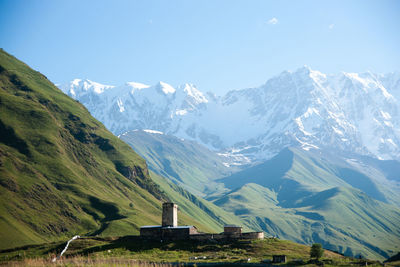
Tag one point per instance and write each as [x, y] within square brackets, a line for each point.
[350, 205]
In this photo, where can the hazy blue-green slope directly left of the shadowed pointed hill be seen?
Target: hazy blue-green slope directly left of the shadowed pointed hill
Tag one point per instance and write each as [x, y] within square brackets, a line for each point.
[186, 163]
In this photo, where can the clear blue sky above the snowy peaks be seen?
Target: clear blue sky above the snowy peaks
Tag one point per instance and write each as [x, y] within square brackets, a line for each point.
[217, 45]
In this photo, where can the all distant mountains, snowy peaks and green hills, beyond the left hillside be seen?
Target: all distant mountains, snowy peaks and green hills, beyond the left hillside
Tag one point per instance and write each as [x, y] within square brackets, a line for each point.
[307, 156]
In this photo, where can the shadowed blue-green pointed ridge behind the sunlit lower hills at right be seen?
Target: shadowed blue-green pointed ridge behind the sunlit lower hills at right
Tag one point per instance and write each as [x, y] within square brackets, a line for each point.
[295, 172]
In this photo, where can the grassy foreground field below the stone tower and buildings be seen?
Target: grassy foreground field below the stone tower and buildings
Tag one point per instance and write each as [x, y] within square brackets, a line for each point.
[132, 251]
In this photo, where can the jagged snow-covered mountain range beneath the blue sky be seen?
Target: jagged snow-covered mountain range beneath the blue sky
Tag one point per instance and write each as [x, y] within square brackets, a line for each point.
[358, 113]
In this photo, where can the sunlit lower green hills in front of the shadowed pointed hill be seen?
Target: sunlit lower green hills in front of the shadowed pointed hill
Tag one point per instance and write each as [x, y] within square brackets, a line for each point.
[342, 219]
